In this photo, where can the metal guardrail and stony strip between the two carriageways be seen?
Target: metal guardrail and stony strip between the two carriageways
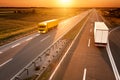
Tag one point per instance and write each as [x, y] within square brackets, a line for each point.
[41, 62]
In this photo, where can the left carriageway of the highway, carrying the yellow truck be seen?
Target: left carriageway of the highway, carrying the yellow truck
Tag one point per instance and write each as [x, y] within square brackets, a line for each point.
[16, 55]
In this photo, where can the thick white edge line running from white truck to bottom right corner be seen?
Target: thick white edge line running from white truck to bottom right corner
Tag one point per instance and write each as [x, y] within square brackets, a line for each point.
[116, 73]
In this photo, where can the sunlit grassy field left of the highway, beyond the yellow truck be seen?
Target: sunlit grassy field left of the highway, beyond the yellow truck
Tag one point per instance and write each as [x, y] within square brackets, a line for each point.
[15, 25]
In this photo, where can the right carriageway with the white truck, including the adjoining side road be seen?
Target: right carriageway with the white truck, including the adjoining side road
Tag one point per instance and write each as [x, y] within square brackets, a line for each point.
[85, 61]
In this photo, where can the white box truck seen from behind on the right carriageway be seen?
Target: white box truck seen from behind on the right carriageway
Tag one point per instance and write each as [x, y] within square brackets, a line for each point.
[100, 34]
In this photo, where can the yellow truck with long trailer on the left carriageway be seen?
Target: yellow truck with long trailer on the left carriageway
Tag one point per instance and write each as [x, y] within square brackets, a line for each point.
[45, 26]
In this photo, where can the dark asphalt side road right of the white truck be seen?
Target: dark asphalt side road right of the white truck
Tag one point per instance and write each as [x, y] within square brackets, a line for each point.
[114, 42]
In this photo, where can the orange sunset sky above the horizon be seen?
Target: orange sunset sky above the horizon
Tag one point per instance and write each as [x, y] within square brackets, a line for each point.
[59, 3]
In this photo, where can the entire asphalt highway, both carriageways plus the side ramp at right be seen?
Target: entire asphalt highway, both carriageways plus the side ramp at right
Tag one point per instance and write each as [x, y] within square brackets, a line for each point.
[83, 60]
